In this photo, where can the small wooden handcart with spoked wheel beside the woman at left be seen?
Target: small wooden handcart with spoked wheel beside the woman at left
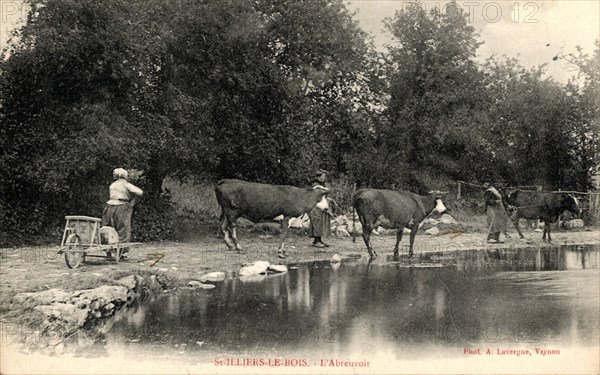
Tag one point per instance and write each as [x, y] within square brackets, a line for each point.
[81, 239]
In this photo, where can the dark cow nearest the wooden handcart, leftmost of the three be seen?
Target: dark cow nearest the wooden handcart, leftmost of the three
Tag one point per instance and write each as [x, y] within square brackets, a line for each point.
[262, 202]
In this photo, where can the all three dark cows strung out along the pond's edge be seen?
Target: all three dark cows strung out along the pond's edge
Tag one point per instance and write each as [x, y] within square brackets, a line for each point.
[263, 202]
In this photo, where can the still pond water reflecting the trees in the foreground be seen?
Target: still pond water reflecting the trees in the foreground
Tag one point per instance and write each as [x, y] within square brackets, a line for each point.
[435, 306]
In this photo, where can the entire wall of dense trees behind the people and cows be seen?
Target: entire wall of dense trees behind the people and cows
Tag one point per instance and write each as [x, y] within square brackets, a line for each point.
[268, 91]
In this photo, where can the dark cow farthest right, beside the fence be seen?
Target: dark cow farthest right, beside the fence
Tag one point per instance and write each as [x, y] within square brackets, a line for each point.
[537, 205]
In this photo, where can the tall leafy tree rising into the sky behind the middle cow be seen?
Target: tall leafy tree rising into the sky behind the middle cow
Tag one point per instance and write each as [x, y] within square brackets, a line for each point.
[434, 93]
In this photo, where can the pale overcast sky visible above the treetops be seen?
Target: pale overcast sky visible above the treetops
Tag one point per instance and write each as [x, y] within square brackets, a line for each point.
[521, 29]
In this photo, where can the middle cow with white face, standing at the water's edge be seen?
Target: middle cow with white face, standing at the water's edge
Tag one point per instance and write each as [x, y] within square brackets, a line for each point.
[401, 209]
